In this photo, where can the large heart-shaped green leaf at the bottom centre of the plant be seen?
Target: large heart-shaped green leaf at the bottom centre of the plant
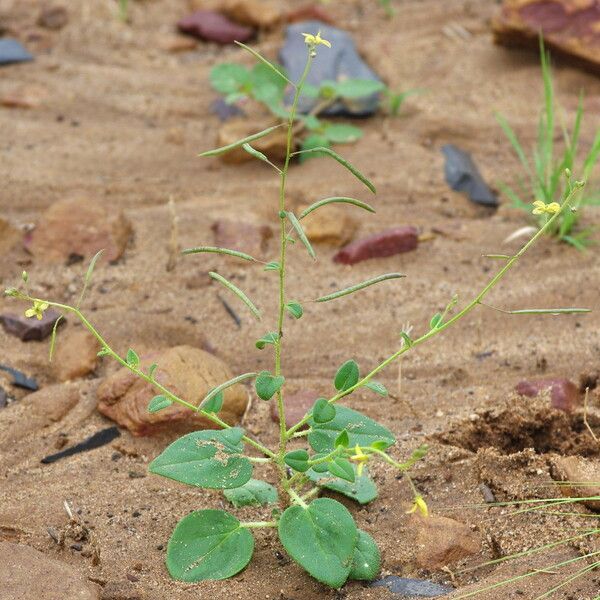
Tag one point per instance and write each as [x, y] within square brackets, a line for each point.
[321, 538]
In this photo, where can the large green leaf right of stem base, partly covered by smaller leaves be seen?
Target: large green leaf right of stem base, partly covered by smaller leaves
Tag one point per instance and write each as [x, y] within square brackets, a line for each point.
[361, 430]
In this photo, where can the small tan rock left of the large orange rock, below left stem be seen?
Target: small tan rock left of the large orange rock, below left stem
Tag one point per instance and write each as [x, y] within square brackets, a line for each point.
[76, 354]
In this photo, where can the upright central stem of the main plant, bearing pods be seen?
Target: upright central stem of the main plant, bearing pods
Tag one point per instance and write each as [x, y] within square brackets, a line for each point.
[283, 246]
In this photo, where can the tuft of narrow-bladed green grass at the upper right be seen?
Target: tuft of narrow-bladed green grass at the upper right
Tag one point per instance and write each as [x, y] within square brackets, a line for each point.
[544, 171]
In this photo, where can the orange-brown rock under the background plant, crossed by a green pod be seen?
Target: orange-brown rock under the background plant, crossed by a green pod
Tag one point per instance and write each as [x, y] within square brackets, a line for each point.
[273, 145]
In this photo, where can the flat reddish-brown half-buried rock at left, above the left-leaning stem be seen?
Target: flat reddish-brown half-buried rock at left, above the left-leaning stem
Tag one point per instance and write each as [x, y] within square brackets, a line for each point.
[79, 228]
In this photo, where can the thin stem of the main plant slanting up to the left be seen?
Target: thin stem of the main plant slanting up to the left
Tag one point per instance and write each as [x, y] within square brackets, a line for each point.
[167, 393]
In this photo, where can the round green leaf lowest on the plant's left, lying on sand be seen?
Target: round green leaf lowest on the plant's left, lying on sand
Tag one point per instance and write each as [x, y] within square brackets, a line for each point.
[208, 544]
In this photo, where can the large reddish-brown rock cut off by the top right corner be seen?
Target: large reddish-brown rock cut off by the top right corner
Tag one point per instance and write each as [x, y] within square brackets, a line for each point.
[570, 26]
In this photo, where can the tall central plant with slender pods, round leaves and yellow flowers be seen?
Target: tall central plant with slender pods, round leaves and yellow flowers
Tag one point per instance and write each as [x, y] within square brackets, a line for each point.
[329, 447]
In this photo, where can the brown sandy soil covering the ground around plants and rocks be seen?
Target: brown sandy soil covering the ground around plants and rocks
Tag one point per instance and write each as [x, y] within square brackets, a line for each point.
[122, 122]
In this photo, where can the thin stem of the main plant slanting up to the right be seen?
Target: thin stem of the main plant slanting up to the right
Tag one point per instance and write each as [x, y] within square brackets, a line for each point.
[467, 309]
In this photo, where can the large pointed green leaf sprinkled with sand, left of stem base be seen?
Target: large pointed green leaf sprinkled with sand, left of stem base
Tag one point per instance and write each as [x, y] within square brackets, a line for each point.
[210, 459]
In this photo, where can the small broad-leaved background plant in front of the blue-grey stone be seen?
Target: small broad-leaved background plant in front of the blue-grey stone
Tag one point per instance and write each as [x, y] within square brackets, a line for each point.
[266, 84]
